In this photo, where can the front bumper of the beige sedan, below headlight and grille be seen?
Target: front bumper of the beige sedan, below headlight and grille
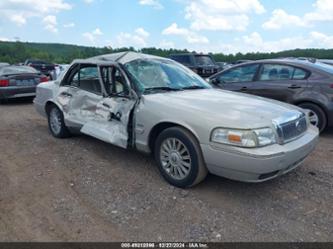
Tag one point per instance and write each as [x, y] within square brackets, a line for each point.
[259, 164]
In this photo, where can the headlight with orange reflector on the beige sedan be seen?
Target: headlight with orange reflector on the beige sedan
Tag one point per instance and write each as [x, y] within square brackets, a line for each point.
[244, 138]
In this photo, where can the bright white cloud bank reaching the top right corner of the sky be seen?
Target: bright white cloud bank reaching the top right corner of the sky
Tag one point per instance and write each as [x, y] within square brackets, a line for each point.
[322, 11]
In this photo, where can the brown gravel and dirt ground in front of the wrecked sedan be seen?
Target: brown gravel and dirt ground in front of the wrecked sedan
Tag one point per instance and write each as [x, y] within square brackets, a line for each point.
[81, 189]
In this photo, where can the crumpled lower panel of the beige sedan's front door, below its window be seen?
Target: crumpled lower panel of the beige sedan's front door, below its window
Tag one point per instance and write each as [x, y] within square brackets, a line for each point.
[110, 122]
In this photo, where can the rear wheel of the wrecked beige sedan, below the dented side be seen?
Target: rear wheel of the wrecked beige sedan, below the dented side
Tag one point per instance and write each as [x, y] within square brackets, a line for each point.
[56, 123]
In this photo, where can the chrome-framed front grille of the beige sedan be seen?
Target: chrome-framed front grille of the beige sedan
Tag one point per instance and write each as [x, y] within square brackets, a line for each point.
[292, 129]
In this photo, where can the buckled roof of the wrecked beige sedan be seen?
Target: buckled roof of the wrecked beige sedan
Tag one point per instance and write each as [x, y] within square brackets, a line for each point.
[121, 57]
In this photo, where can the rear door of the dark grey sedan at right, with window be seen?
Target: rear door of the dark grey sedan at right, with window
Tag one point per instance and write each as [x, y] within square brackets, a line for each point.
[280, 81]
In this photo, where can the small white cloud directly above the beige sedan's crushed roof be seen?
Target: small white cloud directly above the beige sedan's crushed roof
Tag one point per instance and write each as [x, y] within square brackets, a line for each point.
[137, 39]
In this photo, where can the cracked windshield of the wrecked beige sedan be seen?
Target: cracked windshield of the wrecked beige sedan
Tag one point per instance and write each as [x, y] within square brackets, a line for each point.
[163, 75]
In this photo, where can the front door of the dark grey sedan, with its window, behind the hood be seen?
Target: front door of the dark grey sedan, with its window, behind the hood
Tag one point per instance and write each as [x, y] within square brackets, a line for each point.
[237, 79]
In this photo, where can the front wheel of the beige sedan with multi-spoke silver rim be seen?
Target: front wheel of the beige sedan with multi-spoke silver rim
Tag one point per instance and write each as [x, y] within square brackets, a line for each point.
[179, 158]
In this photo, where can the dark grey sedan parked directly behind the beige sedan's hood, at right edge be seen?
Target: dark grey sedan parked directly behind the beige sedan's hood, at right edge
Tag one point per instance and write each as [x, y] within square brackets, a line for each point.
[300, 82]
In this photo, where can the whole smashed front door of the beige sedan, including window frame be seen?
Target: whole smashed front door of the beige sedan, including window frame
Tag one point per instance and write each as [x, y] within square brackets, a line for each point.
[112, 119]
